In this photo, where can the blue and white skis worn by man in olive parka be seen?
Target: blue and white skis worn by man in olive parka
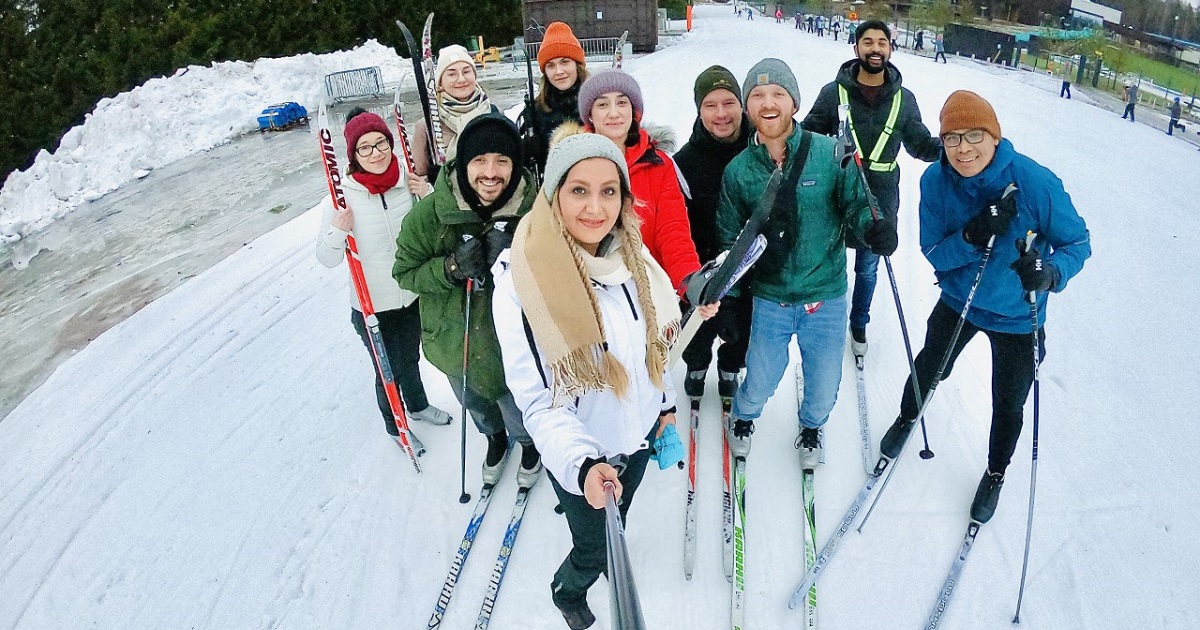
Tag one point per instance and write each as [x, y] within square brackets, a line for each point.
[502, 560]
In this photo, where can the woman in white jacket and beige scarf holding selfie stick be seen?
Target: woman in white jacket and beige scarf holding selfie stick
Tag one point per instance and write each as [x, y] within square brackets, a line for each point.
[585, 319]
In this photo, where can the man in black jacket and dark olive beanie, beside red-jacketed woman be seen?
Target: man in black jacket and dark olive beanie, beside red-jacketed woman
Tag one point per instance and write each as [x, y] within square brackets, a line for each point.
[719, 134]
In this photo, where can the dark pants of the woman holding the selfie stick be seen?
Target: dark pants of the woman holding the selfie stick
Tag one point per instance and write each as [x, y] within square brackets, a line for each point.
[590, 551]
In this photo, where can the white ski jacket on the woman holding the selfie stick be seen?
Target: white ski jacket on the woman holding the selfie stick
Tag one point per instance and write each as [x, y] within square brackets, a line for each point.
[598, 424]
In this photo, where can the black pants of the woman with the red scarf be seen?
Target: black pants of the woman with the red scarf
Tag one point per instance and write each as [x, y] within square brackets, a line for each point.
[401, 331]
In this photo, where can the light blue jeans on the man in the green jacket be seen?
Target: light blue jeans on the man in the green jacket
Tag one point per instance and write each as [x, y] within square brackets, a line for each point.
[821, 338]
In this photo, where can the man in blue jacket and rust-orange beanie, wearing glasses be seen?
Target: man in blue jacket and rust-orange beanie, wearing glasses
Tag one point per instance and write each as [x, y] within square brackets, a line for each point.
[965, 214]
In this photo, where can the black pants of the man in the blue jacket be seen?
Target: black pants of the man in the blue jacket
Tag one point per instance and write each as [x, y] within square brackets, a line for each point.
[1012, 375]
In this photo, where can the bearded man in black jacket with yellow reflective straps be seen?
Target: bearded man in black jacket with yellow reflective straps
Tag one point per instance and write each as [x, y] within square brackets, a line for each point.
[883, 115]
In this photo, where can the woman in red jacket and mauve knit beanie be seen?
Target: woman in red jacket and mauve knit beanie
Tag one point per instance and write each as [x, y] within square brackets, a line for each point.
[611, 105]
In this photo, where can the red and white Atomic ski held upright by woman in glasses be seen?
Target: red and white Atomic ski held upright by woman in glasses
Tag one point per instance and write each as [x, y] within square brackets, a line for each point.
[407, 440]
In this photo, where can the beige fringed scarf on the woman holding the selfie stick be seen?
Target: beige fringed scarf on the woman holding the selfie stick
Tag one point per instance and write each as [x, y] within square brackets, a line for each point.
[551, 275]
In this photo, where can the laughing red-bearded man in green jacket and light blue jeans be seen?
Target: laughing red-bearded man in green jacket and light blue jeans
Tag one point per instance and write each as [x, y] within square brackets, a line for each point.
[800, 284]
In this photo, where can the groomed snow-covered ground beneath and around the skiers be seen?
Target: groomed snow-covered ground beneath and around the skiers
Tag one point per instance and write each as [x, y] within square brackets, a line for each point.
[217, 460]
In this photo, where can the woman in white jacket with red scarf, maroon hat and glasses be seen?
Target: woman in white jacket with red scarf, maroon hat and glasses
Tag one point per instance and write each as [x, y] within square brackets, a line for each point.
[377, 199]
